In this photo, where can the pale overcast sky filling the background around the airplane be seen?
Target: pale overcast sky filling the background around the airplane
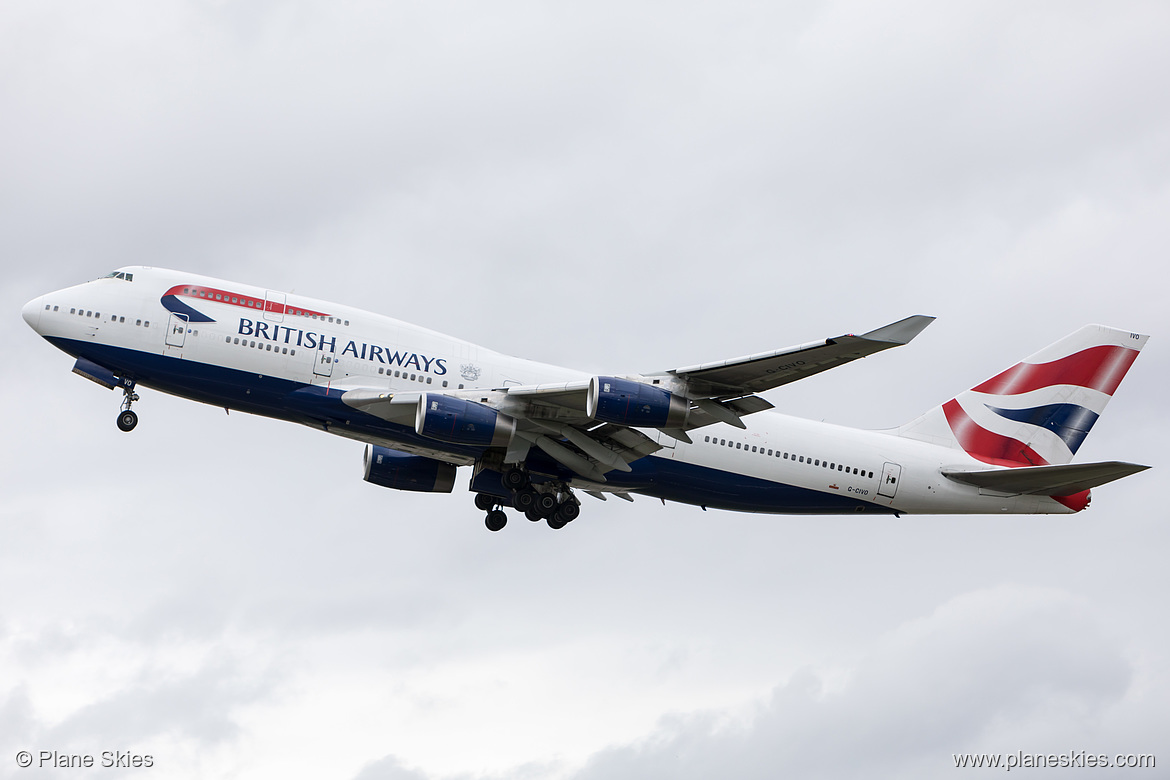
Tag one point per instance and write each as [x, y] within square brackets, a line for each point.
[617, 188]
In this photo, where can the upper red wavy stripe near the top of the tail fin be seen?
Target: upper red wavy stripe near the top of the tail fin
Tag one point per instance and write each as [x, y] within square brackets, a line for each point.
[1099, 368]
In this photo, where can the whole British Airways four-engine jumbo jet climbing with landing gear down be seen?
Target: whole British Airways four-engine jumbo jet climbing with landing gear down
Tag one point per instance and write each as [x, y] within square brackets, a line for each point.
[536, 436]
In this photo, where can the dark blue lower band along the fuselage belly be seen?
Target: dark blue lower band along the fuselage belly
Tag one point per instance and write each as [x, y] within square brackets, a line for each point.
[313, 405]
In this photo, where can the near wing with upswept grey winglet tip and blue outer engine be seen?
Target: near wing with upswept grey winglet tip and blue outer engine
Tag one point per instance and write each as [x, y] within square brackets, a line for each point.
[570, 424]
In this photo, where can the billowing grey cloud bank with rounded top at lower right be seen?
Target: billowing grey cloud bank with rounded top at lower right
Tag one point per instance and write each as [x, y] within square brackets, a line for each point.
[986, 664]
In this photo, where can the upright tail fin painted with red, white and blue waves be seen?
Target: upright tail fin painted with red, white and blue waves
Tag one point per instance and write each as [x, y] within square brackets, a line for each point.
[1040, 411]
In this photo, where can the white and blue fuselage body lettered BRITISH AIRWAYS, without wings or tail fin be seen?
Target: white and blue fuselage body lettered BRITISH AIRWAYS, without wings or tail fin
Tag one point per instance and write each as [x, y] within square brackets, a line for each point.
[259, 347]
